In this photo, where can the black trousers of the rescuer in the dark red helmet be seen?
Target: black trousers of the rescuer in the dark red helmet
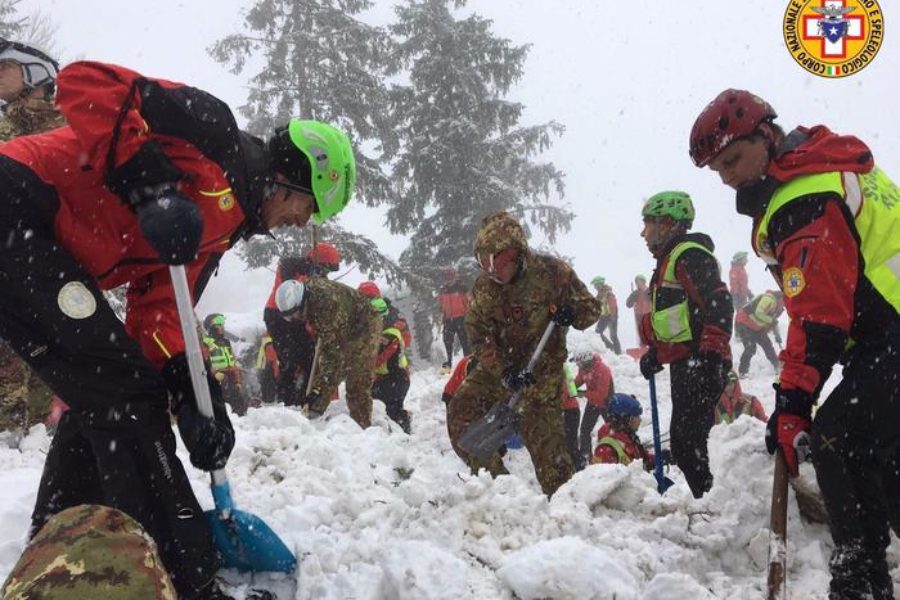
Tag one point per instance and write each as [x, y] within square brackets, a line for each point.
[855, 443]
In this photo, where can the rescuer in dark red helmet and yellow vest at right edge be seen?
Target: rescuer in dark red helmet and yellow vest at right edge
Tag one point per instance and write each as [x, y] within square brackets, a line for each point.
[826, 220]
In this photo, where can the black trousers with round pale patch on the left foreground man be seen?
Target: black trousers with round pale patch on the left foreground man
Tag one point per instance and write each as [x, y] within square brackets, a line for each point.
[115, 445]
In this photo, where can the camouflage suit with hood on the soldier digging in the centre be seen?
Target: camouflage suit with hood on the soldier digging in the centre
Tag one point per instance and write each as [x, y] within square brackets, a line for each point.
[504, 323]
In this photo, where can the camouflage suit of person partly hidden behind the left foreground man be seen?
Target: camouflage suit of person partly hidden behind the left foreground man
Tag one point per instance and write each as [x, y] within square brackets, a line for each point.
[24, 399]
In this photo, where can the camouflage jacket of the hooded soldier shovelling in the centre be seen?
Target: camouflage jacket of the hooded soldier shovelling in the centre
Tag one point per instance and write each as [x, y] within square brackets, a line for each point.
[505, 322]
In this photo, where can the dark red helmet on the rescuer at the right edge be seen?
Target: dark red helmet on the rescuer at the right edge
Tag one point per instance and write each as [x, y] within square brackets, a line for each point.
[732, 115]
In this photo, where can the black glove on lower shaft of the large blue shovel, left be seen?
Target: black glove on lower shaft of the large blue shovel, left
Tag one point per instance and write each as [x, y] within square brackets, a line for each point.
[209, 441]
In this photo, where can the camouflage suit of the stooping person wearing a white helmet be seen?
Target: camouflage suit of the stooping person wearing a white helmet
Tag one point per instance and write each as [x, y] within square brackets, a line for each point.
[348, 331]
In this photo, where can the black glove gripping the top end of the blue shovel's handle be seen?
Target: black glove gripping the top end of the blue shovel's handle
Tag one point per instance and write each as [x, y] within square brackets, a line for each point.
[171, 223]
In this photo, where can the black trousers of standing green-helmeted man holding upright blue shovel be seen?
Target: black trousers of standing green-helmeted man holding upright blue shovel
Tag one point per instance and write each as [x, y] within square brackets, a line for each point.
[696, 388]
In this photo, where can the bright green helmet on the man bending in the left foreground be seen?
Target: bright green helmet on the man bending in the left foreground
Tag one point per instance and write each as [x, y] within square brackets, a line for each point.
[325, 165]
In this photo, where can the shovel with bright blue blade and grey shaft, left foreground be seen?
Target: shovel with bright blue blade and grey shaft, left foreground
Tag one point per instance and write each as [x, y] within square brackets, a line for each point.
[244, 540]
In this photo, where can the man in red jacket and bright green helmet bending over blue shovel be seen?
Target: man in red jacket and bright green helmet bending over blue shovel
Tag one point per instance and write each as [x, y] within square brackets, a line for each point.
[147, 174]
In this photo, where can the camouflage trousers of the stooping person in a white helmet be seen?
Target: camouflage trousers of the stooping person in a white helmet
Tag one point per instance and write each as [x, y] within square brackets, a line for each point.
[357, 370]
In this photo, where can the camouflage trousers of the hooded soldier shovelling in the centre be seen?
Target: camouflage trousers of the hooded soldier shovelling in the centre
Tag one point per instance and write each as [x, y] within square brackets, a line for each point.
[541, 426]
